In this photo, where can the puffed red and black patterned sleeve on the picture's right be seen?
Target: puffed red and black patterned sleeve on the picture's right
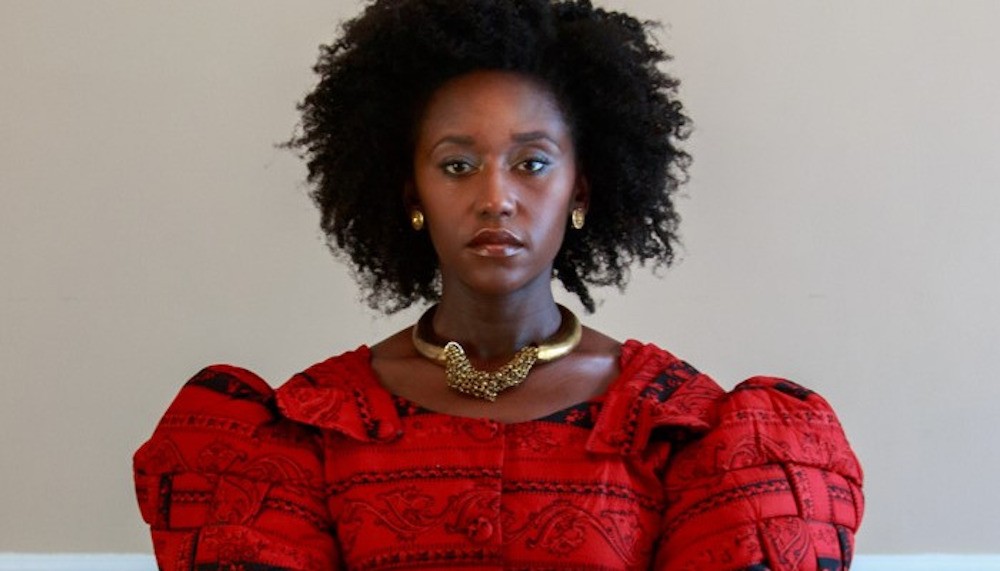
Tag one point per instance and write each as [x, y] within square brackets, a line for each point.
[772, 486]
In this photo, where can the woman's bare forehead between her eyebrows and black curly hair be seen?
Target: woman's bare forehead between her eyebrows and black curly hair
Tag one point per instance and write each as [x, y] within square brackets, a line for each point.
[495, 101]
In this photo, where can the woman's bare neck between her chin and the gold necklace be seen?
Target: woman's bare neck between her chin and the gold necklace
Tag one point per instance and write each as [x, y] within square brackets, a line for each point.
[492, 329]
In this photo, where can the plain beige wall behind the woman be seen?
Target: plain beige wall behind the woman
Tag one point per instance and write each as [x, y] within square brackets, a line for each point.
[840, 230]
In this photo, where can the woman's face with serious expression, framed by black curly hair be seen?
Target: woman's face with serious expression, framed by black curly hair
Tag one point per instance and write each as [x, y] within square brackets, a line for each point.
[495, 175]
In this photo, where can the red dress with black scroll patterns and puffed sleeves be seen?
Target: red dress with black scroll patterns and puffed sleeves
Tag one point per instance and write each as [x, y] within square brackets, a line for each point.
[665, 471]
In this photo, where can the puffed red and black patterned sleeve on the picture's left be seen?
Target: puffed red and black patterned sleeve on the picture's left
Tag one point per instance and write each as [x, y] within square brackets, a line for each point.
[226, 482]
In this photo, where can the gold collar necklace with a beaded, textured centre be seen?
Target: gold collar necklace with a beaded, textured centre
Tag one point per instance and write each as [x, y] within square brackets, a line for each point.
[466, 379]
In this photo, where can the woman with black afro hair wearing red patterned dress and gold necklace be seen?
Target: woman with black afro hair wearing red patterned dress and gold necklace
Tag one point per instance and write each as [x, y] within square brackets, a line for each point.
[467, 153]
